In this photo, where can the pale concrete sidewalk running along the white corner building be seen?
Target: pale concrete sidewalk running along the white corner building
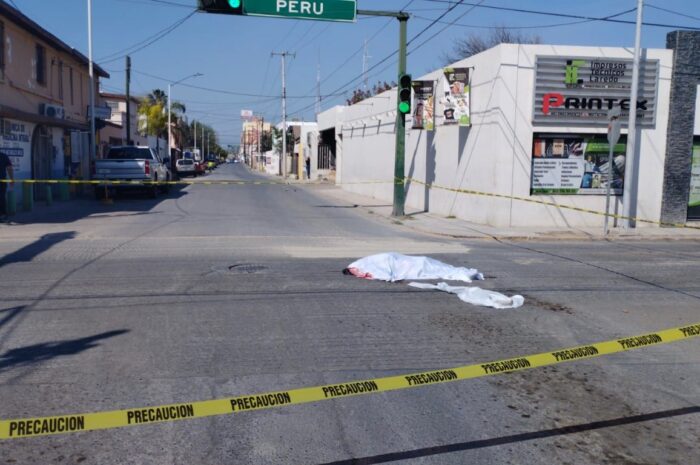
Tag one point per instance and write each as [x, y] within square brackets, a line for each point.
[460, 229]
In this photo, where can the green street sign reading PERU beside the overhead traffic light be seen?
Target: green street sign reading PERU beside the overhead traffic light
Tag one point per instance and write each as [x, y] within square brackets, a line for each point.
[323, 10]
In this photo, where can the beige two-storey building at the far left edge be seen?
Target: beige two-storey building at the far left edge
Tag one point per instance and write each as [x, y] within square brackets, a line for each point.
[44, 99]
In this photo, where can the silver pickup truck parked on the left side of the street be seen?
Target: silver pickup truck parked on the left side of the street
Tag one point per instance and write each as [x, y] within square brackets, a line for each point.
[130, 163]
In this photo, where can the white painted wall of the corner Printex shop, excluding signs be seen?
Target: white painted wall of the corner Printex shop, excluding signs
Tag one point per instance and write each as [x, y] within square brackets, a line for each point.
[494, 154]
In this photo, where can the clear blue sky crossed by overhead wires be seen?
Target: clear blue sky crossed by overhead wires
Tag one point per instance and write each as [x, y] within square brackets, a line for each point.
[233, 52]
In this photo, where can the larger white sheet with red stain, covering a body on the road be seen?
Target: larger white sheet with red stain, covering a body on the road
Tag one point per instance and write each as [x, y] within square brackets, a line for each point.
[397, 267]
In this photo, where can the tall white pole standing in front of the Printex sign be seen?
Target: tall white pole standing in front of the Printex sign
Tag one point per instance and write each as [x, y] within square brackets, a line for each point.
[630, 160]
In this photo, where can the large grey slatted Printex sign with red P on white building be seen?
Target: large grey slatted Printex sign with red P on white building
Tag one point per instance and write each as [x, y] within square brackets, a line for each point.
[581, 91]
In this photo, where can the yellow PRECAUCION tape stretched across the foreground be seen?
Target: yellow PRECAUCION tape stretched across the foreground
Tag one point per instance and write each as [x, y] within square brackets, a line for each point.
[63, 424]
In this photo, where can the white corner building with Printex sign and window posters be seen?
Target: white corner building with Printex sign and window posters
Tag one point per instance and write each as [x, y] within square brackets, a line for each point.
[527, 139]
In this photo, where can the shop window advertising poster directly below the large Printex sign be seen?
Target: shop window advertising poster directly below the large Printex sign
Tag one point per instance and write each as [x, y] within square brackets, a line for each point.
[576, 164]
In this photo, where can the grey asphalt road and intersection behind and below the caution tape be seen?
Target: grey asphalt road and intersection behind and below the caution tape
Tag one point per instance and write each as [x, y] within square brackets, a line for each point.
[135, 304]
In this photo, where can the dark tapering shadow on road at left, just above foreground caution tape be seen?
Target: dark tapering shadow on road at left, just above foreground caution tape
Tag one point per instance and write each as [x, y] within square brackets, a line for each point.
[37, 353]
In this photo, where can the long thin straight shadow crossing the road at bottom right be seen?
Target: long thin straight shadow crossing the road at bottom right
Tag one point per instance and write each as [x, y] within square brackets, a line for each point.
[482, 443]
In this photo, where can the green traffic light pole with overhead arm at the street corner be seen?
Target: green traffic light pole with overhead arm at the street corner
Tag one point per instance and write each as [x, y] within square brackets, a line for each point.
[400, 154]
